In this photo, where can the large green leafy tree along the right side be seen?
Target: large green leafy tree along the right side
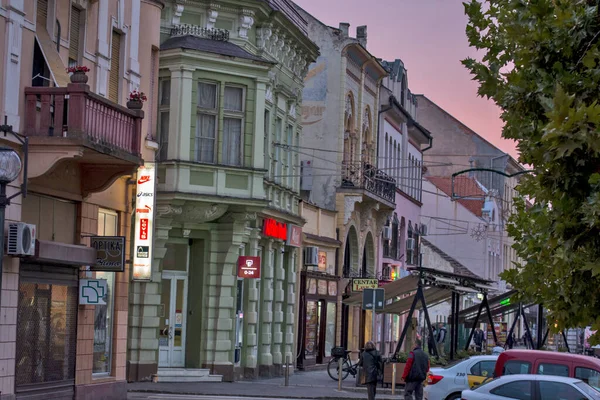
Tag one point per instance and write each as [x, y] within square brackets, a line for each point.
[541, 64]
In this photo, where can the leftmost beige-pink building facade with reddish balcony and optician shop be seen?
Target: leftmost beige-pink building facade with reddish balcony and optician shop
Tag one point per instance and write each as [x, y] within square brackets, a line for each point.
[84, 146]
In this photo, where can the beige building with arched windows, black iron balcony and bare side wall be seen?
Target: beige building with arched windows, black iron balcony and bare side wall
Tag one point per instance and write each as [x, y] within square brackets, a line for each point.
[340, 124]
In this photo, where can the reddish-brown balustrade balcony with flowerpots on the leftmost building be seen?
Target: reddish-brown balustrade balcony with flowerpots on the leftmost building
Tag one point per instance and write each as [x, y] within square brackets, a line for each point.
[74, 125]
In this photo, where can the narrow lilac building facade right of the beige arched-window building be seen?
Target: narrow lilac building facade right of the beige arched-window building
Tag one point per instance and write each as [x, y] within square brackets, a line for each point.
[401, 143]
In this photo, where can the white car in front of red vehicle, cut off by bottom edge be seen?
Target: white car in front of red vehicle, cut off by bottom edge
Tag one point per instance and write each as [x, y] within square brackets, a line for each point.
[533, 387]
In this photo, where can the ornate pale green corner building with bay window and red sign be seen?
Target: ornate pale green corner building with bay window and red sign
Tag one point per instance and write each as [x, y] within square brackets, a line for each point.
[230, 83]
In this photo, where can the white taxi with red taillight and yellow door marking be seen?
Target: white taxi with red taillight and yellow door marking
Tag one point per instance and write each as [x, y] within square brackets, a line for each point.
[448, 382]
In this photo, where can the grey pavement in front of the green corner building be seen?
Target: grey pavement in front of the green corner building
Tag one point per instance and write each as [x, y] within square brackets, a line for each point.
[303, 385]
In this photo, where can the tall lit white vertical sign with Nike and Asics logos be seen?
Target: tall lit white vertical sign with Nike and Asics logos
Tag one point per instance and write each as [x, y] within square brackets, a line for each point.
[144, 226]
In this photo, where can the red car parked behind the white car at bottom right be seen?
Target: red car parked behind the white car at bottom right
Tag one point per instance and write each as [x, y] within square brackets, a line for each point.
[542, 362]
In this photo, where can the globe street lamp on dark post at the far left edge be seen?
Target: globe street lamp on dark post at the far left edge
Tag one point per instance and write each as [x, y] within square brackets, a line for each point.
[10, 168]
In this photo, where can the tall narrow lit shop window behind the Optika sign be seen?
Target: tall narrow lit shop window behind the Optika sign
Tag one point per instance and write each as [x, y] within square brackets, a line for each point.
[103, 314]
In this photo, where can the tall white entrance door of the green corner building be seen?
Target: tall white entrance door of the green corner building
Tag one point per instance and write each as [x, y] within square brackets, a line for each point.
[171, 341]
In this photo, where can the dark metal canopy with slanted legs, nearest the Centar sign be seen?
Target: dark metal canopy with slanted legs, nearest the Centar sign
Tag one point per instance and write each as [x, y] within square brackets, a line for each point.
[434, 287]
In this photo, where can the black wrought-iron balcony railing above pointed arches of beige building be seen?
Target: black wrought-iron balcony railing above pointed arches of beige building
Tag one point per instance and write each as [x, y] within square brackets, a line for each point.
[375, 183]
